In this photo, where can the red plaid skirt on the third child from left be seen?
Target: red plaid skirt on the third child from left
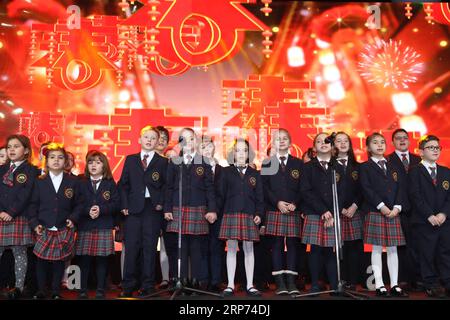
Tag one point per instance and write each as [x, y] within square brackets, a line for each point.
[95, 243]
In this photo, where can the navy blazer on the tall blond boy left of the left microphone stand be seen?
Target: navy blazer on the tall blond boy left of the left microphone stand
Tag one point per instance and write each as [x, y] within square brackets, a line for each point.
[134, 179]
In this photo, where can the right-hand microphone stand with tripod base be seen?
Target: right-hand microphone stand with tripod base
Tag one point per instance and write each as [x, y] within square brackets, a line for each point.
[340, 291]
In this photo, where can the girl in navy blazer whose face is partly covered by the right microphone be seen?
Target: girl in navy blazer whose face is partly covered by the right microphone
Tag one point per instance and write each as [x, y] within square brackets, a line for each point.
[318, 228]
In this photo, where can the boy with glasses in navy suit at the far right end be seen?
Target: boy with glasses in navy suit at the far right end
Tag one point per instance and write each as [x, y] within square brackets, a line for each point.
[430, 199]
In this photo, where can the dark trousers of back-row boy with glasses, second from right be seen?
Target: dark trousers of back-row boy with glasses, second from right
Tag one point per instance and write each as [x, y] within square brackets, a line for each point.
[409, 265]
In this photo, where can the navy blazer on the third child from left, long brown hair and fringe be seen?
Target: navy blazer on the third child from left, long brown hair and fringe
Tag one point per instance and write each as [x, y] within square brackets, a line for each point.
[106, 197]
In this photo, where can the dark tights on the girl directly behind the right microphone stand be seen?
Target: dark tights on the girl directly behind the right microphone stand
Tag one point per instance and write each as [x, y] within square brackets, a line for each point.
[318, 256]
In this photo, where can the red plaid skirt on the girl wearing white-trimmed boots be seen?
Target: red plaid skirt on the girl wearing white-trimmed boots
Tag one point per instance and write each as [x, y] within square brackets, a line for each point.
[283, 224]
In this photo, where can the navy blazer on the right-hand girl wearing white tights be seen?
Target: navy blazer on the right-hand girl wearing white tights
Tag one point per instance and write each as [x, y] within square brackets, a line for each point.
[378, 187]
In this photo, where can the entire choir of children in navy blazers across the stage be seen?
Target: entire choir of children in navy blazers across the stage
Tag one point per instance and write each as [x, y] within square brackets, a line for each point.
[399, 202]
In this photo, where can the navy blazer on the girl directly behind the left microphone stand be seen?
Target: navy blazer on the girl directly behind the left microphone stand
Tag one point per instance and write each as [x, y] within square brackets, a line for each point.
[198, 186]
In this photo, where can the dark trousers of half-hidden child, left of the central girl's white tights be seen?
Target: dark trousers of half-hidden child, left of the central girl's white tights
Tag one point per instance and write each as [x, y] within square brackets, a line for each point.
[216, 249]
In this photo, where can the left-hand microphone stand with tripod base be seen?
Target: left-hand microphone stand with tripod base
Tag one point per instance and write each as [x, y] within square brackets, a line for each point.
[178, 287]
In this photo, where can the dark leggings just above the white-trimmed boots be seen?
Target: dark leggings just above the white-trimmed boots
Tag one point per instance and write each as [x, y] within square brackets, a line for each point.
[291, 254]
